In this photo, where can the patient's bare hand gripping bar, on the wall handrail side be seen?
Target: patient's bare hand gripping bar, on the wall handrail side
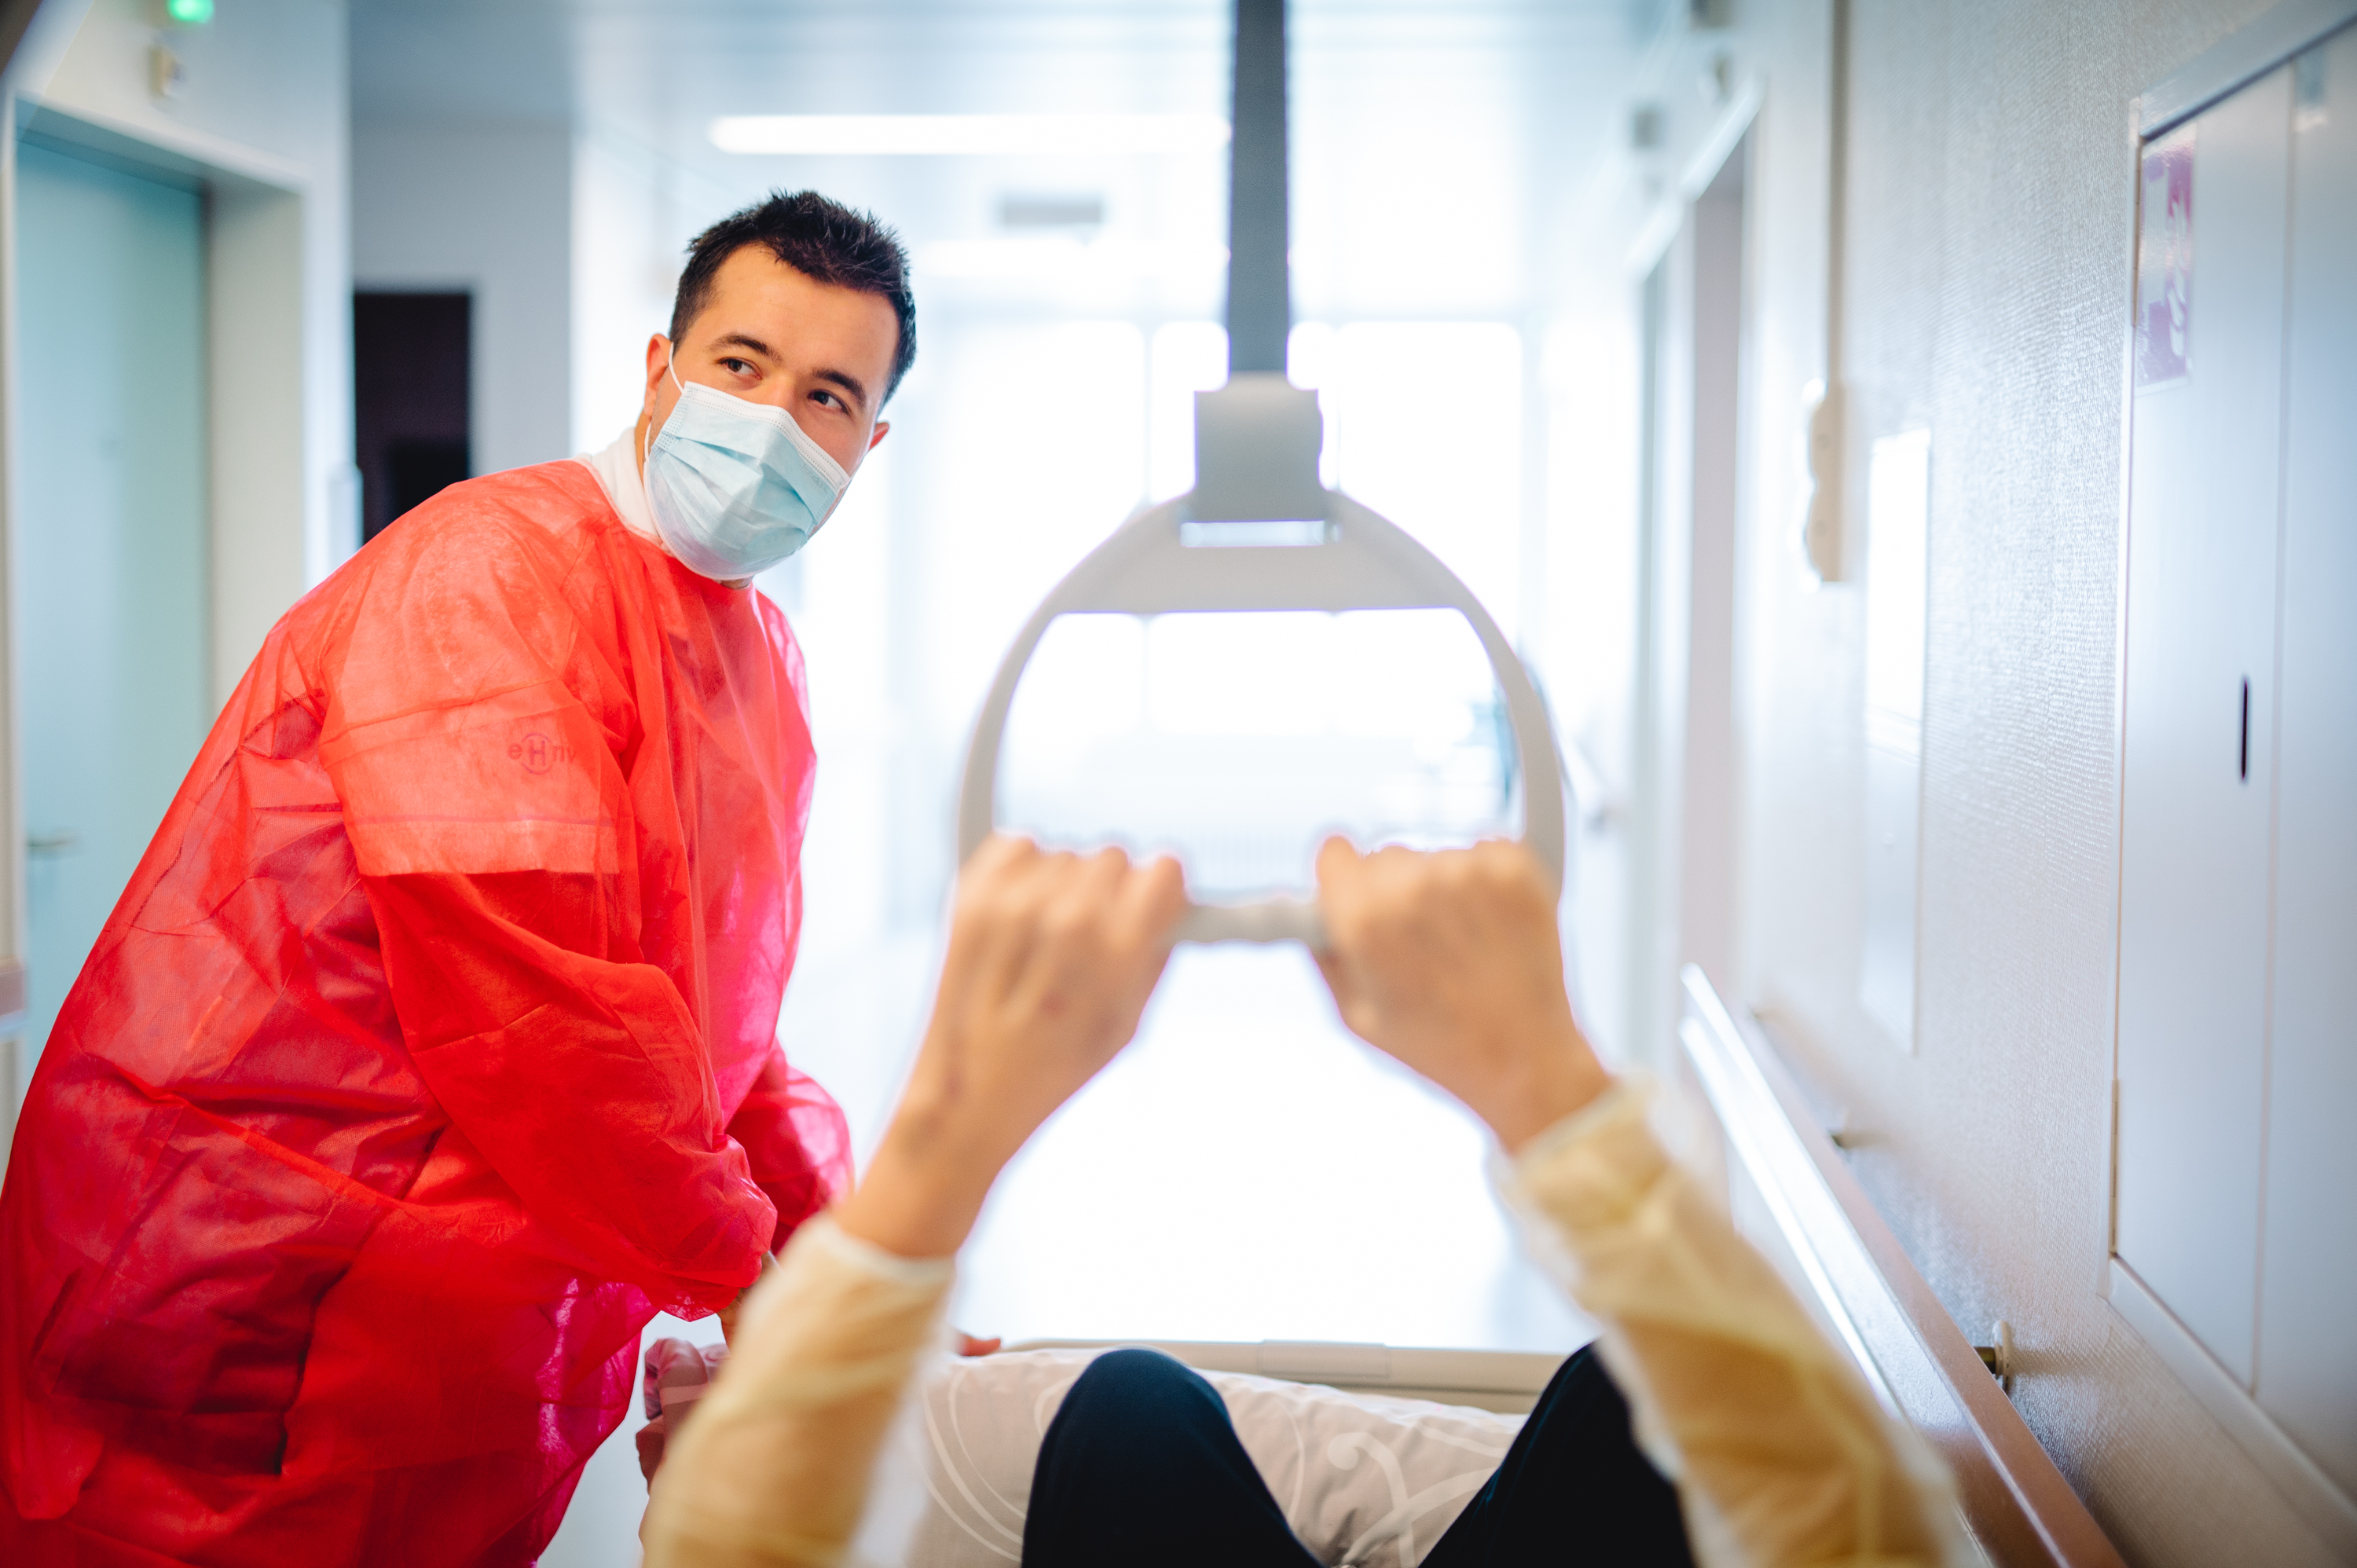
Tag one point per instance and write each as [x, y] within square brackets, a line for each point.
[1453, 966]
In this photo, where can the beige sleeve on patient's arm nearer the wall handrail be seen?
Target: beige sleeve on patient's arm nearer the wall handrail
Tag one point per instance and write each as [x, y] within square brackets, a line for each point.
[1781, 1451]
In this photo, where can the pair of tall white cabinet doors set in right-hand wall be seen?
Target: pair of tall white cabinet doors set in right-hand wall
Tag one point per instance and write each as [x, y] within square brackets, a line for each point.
[2238, 940]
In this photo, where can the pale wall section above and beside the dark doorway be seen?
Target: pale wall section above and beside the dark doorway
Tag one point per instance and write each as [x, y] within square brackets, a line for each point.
[482, 209]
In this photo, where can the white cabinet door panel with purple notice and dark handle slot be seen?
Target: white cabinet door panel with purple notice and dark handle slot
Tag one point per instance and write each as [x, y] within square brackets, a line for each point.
[2200, 694]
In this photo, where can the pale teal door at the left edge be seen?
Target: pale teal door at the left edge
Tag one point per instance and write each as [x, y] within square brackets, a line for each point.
[112, 588]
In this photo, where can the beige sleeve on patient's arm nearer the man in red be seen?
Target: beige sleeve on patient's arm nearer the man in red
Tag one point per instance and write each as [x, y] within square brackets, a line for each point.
[777, 1463]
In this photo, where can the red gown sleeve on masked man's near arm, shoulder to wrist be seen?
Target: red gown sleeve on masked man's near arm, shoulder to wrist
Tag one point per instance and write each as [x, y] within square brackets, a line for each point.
[482, 746]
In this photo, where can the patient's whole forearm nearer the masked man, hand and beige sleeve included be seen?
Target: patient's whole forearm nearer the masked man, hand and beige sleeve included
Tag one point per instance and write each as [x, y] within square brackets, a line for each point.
[1050, 966]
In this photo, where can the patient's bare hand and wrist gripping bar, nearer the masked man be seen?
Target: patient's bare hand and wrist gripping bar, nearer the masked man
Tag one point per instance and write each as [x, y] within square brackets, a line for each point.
[1050, 966]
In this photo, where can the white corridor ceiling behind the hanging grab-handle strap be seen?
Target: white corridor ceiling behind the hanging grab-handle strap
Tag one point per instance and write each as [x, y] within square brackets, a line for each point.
[1441, 147]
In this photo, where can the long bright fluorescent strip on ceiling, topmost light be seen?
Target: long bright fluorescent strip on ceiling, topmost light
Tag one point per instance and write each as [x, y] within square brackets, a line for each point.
[970, 133]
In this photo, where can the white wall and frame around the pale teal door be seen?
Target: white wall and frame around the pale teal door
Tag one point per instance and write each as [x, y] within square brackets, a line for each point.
[263, 121]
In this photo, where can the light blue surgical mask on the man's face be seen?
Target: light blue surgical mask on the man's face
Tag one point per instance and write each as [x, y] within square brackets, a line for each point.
[737, 487]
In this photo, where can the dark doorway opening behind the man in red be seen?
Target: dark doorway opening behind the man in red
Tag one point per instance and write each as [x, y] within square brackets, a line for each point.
[411, 360]
